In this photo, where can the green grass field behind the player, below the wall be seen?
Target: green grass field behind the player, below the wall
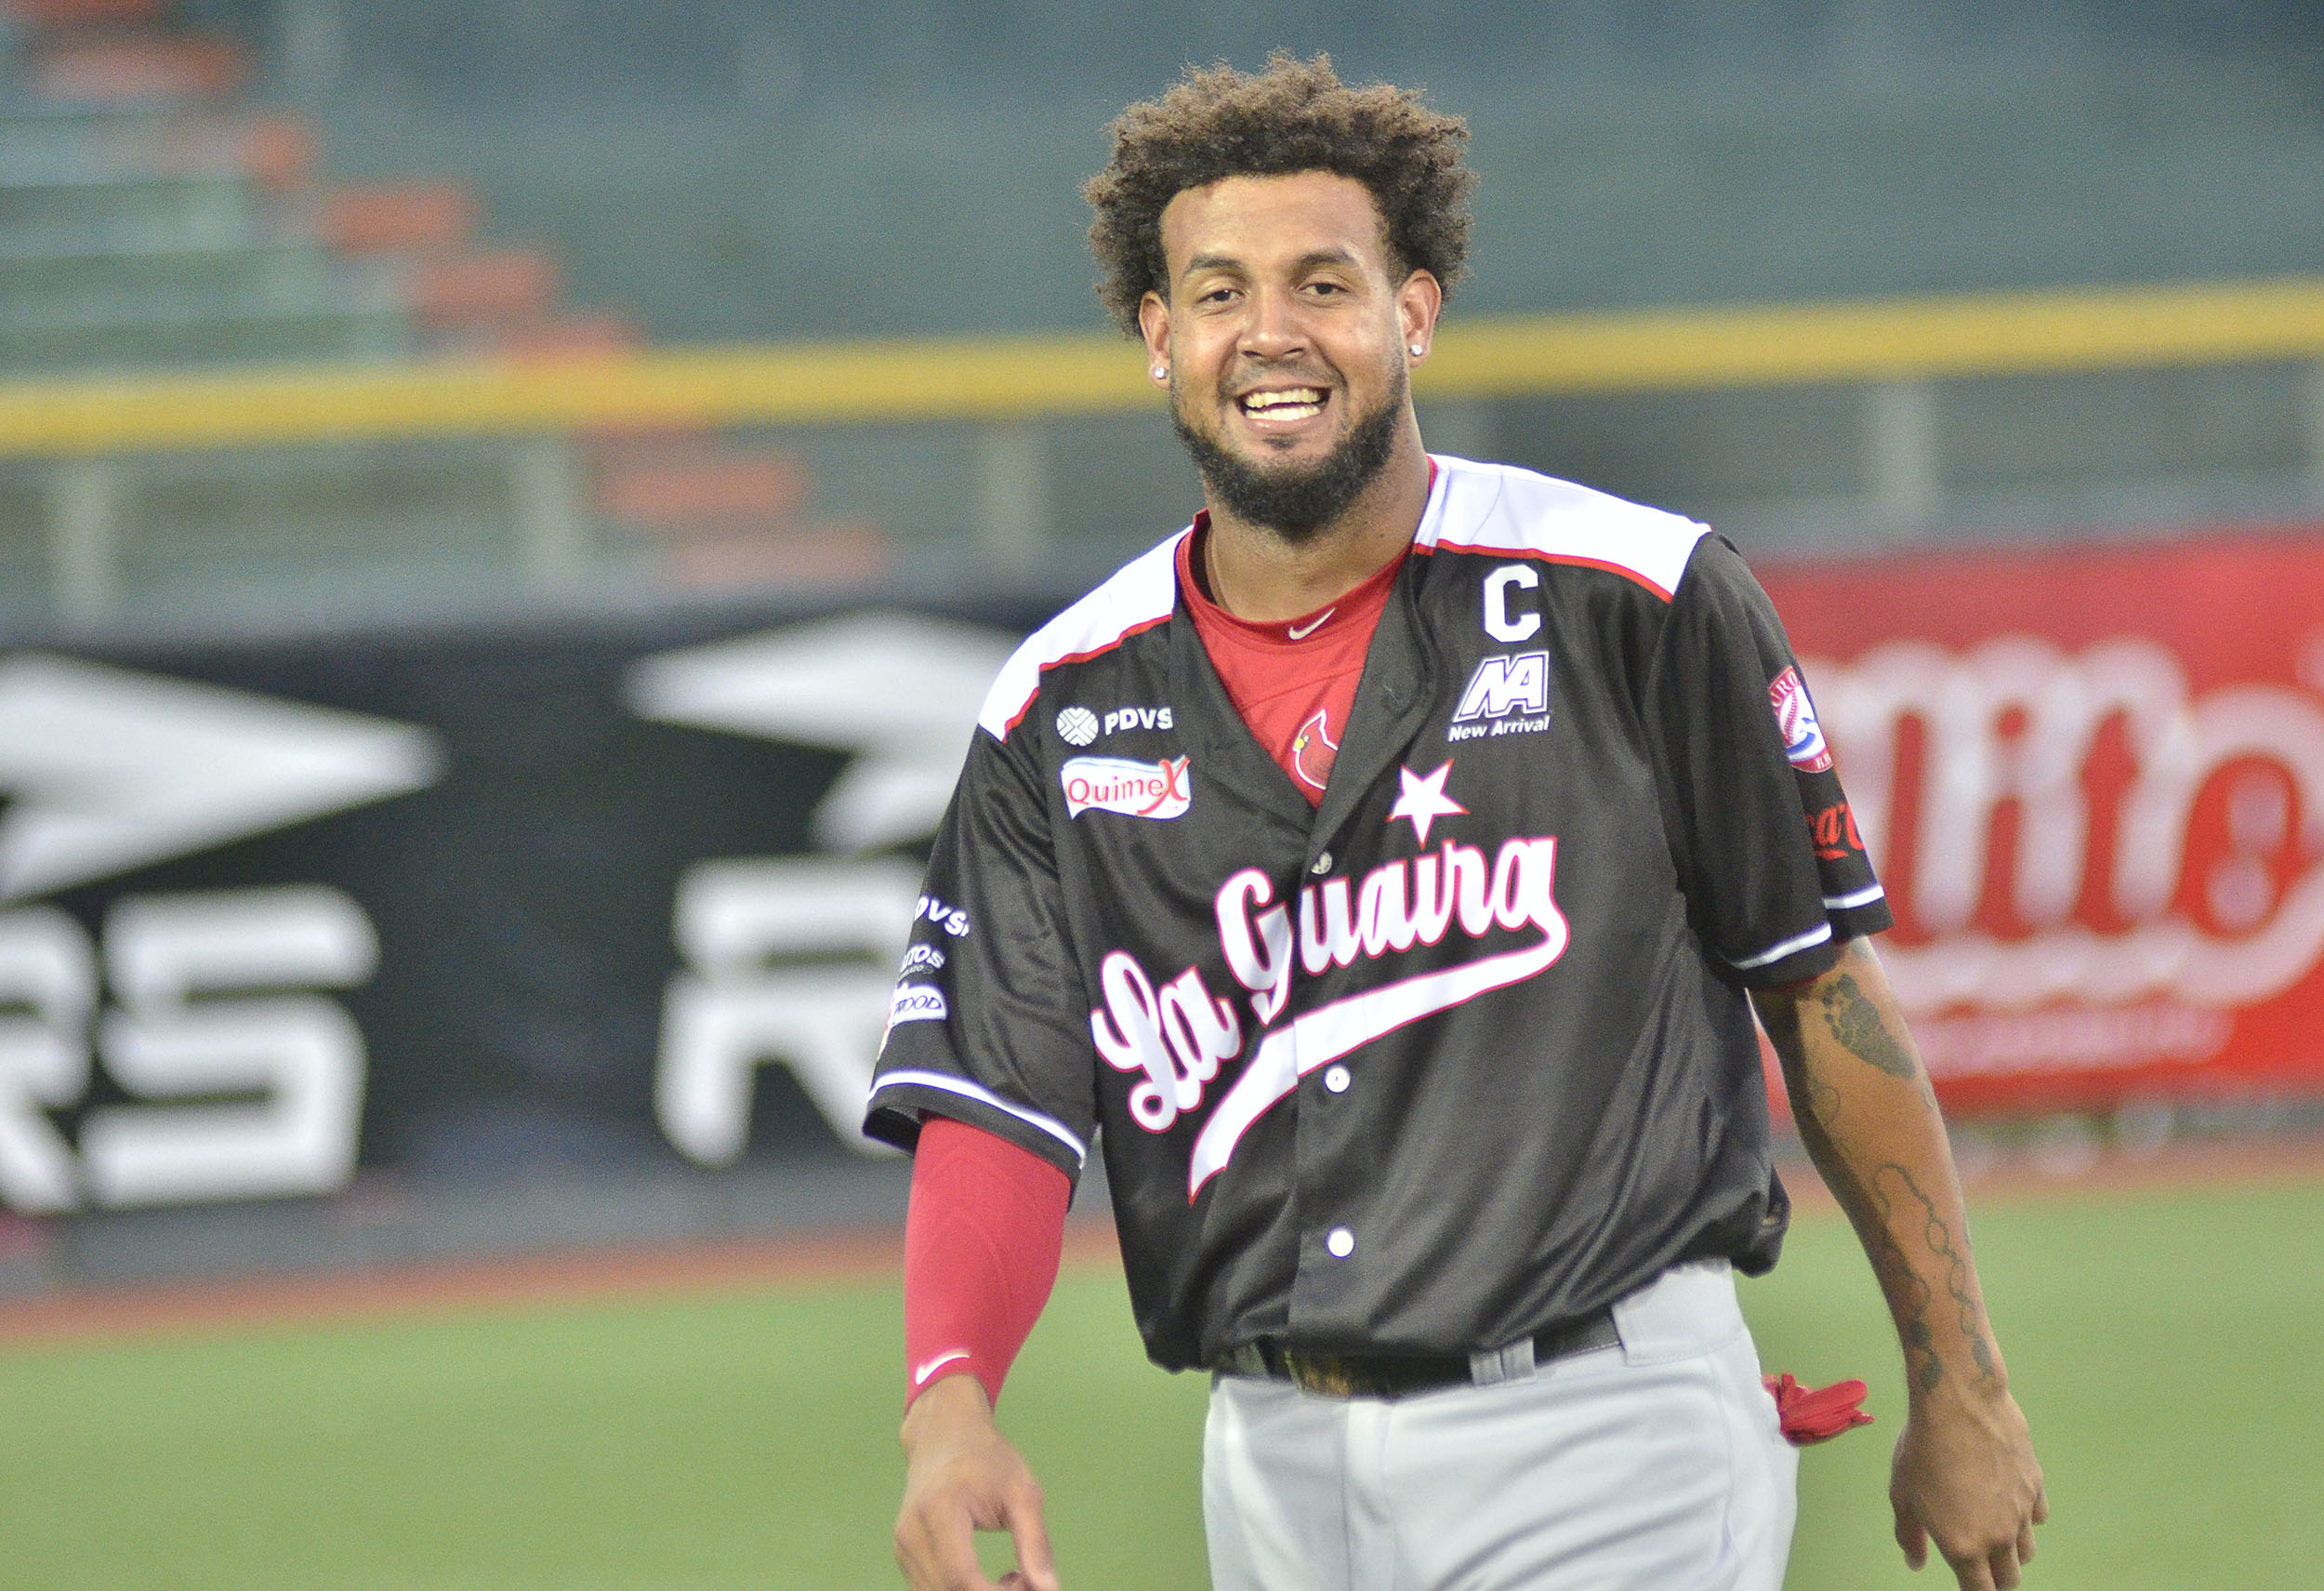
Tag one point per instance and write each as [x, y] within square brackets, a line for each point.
[2165, 1346]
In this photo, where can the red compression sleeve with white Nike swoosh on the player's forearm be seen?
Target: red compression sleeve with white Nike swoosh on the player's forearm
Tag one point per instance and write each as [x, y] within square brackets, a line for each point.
[982, 1253]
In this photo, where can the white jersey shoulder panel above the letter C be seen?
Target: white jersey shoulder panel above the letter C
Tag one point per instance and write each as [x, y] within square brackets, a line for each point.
[1502, 511]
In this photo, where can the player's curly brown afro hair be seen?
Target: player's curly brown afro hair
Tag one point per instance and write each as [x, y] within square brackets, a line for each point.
[1293, 117]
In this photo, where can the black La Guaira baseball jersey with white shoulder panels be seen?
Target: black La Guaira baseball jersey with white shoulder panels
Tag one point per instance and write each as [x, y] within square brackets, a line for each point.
[1458, 1055]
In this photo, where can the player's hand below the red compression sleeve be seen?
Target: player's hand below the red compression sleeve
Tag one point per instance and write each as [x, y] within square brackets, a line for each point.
[963, 1478]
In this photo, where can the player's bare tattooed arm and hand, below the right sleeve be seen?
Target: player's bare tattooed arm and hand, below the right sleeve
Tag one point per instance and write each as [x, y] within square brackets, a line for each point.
[1965, 1469]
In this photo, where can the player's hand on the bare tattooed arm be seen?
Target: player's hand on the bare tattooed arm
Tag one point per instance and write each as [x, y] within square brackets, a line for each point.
[1965, 1478]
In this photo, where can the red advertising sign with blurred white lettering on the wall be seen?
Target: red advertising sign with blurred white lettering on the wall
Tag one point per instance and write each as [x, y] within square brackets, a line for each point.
[2095, 787]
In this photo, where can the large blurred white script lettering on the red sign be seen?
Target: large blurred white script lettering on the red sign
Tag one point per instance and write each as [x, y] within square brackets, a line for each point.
[2014, 722]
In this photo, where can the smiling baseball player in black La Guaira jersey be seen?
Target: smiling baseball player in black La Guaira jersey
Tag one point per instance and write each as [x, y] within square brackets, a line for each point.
[1382, 873]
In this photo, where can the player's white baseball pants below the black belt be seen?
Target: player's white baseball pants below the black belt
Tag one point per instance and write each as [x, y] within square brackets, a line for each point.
[1649, 1467]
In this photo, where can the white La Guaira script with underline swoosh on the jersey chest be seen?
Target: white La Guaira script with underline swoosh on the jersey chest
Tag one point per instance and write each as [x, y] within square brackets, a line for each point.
[1182, 1034]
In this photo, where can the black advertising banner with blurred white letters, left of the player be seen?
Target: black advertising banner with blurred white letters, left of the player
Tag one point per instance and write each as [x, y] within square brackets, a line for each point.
[466, 906]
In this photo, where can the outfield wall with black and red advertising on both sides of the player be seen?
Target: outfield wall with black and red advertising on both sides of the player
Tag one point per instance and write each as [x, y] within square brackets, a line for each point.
[631, 894]
